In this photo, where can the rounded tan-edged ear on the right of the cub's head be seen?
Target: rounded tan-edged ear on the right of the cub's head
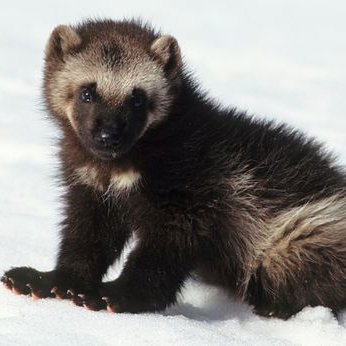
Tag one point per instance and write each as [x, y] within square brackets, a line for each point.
[167, 52]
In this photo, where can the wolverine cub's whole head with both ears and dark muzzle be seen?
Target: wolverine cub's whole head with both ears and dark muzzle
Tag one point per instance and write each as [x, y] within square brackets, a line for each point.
[109, 82]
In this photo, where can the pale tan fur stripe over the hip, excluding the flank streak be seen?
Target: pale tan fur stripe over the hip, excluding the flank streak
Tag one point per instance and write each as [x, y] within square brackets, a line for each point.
[298, 236]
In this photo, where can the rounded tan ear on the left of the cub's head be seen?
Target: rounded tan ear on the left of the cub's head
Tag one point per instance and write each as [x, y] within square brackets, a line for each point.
[62, 41]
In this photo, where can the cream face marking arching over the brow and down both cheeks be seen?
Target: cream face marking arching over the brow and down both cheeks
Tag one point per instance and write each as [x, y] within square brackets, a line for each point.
[113, 84]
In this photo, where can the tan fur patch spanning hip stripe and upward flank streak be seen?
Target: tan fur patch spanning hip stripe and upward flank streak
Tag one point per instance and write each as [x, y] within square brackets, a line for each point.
[286, 243]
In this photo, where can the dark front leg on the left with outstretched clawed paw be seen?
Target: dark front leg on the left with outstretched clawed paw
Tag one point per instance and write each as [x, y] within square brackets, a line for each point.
[93, 236]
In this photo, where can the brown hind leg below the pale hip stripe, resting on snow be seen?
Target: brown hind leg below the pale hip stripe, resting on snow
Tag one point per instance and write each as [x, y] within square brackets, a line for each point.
[302, 269]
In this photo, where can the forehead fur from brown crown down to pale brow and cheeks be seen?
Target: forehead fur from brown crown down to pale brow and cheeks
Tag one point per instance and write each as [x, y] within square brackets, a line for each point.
[115, 56]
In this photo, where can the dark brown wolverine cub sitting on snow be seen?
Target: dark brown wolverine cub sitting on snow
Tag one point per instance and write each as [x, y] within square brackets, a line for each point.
[249, 205]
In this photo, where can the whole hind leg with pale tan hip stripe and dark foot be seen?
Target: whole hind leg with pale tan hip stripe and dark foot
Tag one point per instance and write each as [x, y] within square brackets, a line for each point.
[304, 262]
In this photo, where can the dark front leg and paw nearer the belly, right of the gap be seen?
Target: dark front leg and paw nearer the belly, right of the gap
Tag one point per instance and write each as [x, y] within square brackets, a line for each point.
[152, 277]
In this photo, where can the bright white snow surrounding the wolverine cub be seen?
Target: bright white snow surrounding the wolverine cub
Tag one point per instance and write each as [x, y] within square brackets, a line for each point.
[279, 59]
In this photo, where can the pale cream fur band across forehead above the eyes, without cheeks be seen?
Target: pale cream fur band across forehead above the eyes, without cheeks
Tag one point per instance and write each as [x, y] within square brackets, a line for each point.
[114, 80]
